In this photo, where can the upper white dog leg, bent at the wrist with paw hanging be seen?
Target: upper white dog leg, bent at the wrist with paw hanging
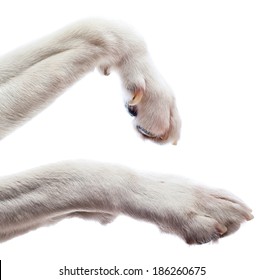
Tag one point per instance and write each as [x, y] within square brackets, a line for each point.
[35, 75]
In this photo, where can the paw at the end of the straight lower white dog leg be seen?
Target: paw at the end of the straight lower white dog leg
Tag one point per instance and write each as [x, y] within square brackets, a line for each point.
[206, 215]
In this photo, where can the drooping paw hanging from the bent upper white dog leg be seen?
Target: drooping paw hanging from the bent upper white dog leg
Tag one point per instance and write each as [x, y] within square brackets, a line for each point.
[157, 117]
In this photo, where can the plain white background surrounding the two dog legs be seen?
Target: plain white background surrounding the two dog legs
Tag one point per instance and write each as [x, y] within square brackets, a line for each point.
[211, 54]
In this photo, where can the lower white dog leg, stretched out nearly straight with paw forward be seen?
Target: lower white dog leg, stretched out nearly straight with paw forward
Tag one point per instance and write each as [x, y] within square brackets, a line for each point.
[48, 194]
